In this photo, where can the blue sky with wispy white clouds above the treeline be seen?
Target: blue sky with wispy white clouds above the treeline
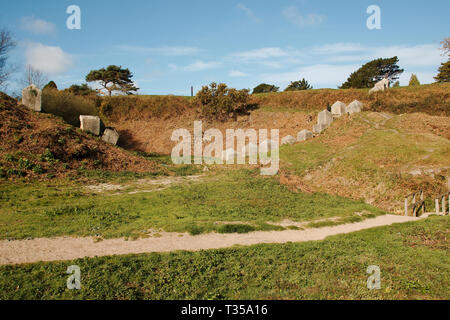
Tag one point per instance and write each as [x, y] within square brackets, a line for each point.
[171, 45]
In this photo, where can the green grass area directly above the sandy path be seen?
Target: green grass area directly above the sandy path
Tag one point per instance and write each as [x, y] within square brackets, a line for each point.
[63, 208]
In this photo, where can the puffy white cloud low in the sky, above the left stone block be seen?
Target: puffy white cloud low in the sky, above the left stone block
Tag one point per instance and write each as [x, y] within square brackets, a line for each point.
[51, 60]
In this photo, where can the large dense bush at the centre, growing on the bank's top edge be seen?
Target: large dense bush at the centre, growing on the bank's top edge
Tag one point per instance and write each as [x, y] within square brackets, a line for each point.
[219, 102]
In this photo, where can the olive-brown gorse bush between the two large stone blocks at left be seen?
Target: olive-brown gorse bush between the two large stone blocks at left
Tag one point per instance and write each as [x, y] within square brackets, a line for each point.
[68, 106]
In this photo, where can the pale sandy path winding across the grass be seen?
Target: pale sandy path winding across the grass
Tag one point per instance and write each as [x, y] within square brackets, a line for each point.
[65, 248]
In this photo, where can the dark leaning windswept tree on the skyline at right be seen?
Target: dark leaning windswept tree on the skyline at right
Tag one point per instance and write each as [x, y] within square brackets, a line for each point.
[372, 72]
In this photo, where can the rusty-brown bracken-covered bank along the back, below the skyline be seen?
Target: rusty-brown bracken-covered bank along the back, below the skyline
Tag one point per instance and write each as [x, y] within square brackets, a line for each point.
[147, 122]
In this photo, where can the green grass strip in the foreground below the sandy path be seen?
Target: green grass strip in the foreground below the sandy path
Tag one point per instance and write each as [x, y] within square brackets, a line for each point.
[413, 258]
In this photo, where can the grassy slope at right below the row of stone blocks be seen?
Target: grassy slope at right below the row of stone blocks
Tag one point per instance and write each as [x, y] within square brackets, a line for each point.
[373, 156]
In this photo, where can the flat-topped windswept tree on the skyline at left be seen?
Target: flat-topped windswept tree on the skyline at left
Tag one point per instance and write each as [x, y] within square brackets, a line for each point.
[112, 79]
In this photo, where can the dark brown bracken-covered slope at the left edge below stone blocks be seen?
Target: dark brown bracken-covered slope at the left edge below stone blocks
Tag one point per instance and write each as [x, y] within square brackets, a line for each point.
[36, 145]
